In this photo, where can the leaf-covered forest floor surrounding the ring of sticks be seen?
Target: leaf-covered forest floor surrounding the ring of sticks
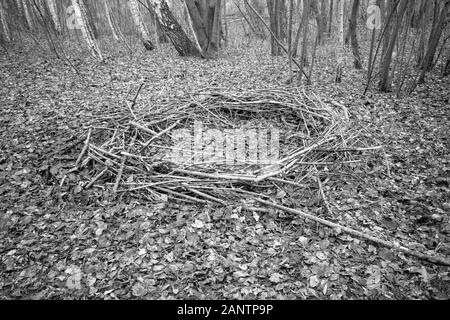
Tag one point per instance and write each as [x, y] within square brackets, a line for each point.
[59, 244]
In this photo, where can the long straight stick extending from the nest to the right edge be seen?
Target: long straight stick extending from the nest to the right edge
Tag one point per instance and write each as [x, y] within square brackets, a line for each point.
[359, 234]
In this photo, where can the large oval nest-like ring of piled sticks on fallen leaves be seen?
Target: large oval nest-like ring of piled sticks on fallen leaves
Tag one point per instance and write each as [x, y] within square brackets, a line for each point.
[126, 151]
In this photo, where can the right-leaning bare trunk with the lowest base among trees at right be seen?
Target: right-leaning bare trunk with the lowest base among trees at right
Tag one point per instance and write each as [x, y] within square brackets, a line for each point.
[385, 84]
